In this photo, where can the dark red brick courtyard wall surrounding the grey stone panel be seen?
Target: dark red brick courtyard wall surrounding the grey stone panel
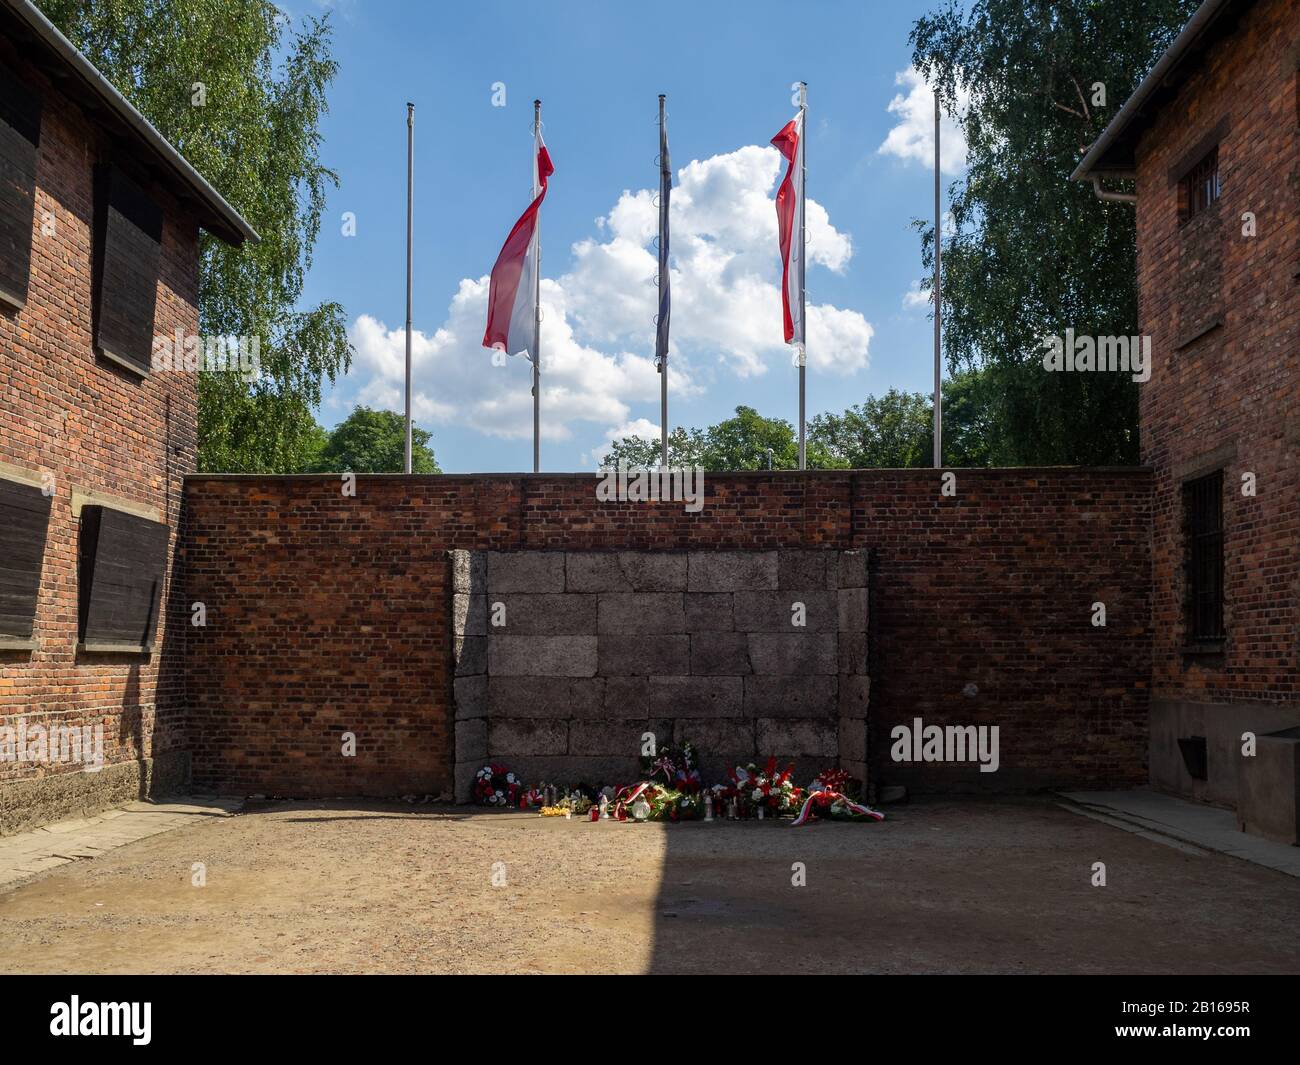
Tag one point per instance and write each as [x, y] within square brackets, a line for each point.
[330, 613]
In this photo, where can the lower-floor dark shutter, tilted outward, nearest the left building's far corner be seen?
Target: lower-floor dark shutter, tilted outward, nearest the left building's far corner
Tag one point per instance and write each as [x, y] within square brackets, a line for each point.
[120, 578]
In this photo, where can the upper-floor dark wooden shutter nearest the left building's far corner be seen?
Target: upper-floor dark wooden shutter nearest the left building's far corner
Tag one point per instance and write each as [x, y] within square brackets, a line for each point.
[128, 253]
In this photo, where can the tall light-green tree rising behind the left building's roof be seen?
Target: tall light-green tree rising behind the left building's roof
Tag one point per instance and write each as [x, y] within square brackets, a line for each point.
[257, 140]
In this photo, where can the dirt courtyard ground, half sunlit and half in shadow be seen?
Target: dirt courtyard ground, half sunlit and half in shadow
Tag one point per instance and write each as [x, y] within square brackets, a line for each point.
[366, 887]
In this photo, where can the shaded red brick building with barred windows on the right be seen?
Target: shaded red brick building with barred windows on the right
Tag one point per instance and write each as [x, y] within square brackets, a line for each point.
[1212, 140]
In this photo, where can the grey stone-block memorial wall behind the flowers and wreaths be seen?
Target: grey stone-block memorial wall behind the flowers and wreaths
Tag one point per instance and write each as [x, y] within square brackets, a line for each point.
[564, 660]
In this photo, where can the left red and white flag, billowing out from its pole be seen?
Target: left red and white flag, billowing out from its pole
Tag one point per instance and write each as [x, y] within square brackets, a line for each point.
[513, 295]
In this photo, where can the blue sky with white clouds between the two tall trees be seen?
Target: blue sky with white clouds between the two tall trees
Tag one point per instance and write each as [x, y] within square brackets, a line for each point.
[727, 70]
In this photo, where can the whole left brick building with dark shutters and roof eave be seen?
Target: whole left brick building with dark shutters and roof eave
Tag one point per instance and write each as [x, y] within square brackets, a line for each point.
[99, 253]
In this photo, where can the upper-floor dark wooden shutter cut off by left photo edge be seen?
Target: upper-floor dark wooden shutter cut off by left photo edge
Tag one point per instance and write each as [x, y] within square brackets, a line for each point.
[20, 138]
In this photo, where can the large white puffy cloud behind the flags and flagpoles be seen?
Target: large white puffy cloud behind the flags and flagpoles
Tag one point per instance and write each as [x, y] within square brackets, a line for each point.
[599, 318]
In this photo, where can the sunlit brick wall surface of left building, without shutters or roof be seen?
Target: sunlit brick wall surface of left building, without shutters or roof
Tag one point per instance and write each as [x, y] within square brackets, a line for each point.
[96, 428]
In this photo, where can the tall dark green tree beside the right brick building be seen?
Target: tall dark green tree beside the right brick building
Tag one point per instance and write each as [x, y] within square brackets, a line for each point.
[1034, 253]
